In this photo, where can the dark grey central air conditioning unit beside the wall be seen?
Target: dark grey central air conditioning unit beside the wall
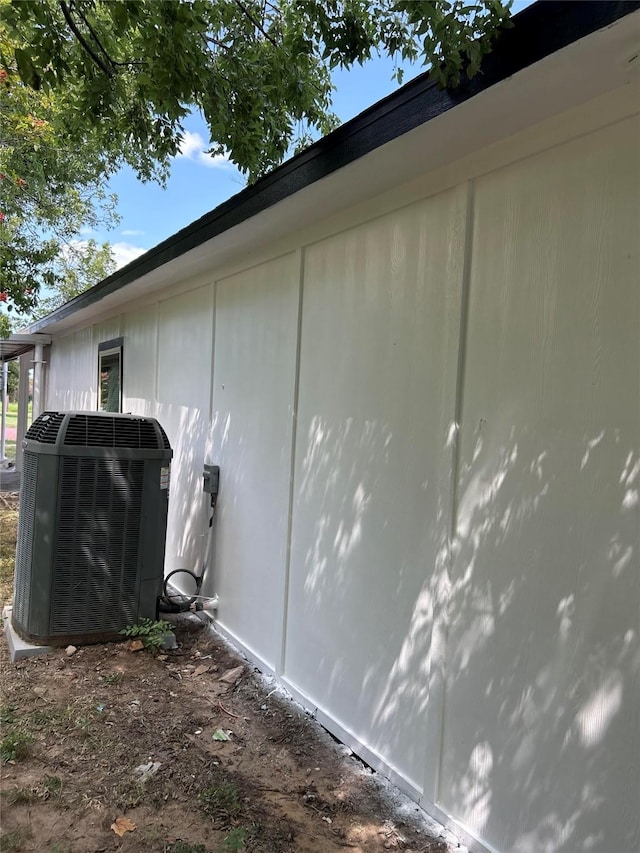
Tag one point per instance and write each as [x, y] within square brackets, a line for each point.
[92, 526]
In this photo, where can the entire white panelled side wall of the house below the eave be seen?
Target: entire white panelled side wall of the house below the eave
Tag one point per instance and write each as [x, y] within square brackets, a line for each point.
[464, 370]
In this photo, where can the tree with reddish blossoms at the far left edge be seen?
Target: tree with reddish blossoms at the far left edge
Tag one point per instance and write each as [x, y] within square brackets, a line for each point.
[50, 191]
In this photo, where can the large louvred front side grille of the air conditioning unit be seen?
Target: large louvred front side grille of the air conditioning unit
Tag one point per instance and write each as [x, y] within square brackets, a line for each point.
[98, 541]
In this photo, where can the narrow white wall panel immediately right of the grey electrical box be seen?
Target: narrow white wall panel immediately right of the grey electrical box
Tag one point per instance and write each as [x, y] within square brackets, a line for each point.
[255, 363]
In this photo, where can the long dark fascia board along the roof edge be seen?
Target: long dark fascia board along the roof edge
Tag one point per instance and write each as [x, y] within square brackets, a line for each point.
[538, 31]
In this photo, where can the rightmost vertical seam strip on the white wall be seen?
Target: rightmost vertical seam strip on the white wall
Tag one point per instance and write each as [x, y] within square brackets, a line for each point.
[455, 469]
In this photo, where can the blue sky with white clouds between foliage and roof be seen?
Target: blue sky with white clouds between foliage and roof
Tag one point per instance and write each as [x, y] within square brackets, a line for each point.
[198, 183]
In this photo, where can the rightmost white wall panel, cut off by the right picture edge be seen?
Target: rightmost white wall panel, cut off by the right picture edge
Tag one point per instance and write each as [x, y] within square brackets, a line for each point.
[543, 644]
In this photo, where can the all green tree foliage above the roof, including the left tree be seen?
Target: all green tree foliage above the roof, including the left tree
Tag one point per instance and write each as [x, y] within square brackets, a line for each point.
[88, 85]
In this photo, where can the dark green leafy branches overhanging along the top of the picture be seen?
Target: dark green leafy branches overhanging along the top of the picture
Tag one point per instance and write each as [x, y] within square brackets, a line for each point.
[257, 69]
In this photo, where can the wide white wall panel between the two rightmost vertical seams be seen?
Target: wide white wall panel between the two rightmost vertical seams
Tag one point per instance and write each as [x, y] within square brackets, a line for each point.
[380, 327]
